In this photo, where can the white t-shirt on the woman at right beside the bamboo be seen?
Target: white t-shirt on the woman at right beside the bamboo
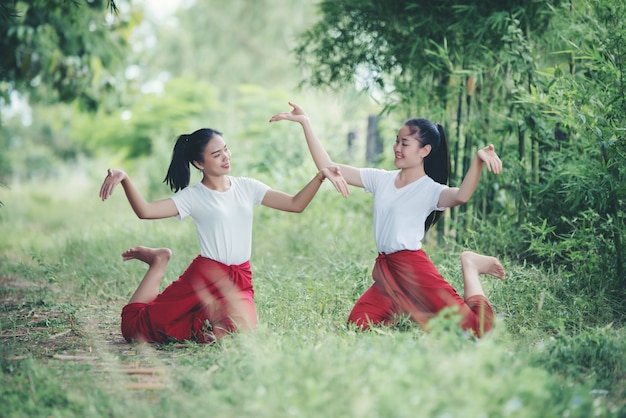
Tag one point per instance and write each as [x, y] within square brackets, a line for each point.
[399, 214]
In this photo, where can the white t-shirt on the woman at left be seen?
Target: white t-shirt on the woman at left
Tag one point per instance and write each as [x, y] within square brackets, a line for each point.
[223, 219]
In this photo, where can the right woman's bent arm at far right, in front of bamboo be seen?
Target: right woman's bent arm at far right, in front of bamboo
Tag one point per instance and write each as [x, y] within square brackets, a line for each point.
[455, 196]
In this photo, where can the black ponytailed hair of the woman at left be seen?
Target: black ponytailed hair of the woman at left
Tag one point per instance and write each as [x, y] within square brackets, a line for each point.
[187, 149]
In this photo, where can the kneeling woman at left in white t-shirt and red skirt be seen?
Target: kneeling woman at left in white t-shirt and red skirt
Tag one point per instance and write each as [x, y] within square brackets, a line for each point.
[214, 296]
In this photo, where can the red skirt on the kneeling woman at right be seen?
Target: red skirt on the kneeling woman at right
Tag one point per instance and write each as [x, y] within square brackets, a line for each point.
[407, 282]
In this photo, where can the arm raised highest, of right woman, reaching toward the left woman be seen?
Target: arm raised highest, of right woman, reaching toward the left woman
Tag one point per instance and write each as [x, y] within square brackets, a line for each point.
[321, 158]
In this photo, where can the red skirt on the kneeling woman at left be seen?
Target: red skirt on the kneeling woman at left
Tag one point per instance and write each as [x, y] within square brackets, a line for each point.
[209, 300]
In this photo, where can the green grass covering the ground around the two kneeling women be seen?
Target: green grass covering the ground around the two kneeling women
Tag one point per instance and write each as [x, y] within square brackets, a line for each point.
[63, 284]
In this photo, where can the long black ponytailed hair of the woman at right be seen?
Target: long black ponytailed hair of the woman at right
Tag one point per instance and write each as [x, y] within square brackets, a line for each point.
[437, 162]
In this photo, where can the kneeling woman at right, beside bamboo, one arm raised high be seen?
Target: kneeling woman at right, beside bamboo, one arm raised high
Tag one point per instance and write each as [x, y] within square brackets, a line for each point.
[407, 202]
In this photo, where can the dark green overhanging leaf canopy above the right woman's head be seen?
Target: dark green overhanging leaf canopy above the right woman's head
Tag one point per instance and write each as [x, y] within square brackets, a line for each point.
[396, 46]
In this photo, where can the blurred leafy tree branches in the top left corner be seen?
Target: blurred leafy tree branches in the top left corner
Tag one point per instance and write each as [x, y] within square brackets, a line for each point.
[58, 50]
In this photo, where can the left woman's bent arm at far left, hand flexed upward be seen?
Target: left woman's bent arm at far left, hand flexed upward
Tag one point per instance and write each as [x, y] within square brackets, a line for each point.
[144, 210]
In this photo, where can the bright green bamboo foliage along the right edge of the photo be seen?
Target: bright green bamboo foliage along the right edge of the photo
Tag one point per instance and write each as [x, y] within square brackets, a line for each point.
[578, 206]
